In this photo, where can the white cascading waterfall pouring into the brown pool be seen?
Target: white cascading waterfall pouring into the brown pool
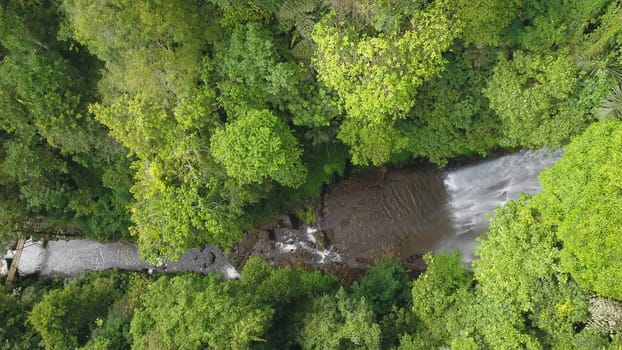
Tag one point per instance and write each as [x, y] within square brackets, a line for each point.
[475, 191]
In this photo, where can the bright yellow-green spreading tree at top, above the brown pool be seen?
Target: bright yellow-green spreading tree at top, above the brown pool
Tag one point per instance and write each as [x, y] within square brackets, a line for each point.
[376, 77]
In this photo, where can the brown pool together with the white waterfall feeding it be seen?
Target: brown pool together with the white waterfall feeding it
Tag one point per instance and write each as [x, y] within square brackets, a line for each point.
[408, 212]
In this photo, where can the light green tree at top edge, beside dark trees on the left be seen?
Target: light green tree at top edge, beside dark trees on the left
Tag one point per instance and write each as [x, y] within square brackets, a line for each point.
[151, 48]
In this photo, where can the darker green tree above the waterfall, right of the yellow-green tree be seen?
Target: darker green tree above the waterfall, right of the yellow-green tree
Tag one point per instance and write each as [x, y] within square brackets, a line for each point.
[452, 116]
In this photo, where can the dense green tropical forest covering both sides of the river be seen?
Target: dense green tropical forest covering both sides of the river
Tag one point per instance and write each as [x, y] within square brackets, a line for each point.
[170, 125]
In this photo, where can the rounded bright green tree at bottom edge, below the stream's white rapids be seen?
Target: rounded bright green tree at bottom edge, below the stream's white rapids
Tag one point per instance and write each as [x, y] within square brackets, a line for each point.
[193, 312]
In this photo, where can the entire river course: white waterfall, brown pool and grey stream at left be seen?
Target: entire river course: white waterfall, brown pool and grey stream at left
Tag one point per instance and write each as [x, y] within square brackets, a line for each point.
[402, 213]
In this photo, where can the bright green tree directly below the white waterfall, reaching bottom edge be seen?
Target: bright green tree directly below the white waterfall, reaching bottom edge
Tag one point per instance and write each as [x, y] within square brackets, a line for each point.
[523, 290]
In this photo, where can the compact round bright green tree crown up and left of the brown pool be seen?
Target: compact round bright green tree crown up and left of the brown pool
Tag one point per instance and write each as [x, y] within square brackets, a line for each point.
[258, 146]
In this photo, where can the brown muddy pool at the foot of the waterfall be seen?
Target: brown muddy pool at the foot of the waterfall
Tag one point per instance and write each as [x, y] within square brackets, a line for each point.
[373, 214]
